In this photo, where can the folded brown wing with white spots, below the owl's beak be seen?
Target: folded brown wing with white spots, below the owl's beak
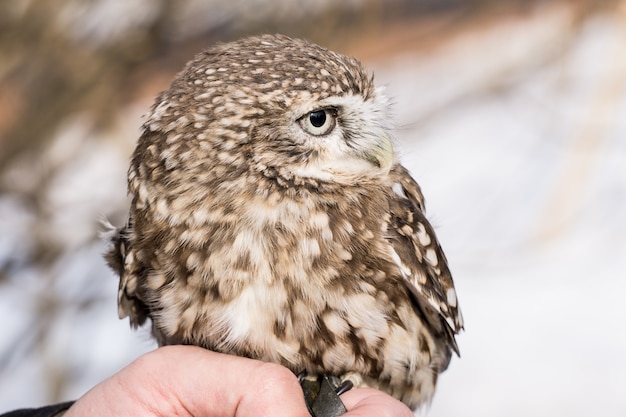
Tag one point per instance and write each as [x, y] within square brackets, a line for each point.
[421, 258]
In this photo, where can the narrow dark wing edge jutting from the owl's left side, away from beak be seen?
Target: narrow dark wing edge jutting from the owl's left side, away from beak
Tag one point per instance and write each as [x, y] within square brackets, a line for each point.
[119, 258]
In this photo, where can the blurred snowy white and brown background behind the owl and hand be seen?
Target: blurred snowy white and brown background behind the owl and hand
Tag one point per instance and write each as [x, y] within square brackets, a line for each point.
[510, 114]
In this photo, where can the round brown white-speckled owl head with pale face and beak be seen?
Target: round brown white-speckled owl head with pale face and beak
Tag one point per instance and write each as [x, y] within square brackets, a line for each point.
[268, 105]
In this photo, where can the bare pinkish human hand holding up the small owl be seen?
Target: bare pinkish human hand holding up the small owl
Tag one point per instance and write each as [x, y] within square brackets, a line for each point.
[191, 381]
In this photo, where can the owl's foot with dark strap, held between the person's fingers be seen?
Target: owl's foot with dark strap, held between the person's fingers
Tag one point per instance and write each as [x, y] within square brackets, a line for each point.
[321, 394]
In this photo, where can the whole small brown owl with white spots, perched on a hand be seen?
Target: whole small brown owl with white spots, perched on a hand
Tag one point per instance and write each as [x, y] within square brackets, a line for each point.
[271, 219]
